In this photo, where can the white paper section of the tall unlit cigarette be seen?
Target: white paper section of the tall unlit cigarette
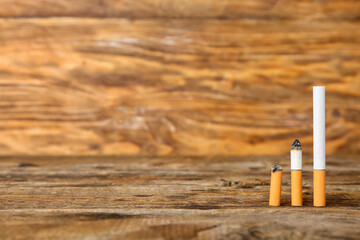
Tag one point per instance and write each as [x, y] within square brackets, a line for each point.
[319, 127]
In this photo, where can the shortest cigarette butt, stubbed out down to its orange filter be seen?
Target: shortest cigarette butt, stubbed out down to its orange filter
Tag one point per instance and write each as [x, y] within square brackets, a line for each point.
[275, 186]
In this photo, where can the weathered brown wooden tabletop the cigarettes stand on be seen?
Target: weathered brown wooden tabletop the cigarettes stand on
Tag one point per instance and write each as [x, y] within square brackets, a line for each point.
[171, 198]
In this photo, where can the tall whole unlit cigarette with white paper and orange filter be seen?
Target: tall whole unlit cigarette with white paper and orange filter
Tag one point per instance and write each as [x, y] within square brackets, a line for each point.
[319, 145]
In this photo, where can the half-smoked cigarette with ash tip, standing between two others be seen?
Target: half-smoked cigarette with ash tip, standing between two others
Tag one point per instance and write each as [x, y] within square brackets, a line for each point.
[296, 173]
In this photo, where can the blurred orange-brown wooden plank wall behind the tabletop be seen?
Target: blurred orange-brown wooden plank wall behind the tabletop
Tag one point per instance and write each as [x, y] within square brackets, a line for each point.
[176, 77]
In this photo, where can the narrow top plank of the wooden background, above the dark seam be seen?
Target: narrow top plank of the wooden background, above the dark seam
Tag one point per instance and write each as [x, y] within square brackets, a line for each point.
[224, 9]
